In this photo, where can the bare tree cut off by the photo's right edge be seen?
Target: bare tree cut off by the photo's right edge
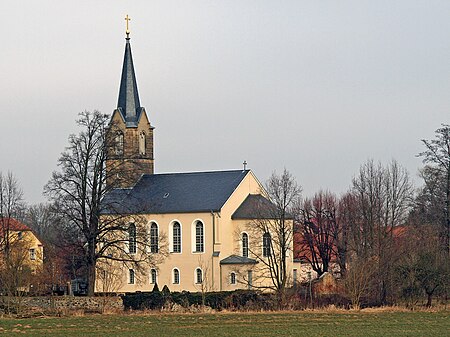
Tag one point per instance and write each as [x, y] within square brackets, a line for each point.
[437, 156]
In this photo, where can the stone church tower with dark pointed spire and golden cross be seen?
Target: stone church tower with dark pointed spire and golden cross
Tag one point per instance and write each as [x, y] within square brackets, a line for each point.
[130, 134]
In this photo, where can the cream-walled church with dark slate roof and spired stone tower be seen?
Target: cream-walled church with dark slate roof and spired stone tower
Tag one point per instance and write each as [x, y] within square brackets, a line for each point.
[202, 220]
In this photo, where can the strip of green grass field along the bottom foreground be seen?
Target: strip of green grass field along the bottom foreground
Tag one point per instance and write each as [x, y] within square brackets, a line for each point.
[345, 323]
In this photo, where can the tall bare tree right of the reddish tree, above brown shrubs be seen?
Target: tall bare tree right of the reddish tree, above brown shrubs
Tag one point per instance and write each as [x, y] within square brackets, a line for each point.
[383, 196]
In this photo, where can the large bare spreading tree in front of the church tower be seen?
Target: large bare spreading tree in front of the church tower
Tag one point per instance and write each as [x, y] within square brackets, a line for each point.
[78, 193]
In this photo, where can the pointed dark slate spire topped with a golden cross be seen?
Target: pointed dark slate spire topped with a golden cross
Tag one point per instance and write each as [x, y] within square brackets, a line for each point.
[128, 103]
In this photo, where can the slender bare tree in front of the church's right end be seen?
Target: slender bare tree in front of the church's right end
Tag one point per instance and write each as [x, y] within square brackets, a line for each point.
[272, 232]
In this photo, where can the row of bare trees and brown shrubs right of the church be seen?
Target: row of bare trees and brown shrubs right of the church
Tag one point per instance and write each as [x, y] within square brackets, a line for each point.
[388, 242]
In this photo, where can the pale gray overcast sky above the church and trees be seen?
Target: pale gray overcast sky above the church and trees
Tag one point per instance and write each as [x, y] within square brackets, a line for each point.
[317, 87]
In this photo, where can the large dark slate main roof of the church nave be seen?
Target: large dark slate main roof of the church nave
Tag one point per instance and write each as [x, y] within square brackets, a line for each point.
[174, 193]
